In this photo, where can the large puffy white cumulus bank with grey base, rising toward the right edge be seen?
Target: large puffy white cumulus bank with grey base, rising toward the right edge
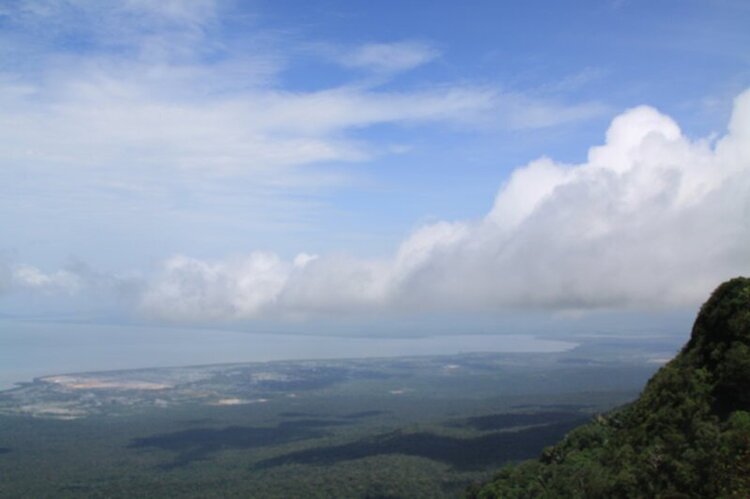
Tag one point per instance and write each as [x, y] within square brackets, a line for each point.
[652, 219]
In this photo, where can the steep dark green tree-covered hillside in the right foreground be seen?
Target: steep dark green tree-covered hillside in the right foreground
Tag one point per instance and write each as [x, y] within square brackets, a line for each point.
[687, 435]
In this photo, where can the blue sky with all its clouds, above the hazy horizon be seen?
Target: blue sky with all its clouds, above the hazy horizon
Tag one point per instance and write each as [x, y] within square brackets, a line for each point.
[372, 168]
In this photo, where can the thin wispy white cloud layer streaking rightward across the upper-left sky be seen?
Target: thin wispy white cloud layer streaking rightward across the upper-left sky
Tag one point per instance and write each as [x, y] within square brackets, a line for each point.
[125, 117]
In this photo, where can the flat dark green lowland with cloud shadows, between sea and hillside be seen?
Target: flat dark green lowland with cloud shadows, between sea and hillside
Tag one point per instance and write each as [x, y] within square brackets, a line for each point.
[417, 430]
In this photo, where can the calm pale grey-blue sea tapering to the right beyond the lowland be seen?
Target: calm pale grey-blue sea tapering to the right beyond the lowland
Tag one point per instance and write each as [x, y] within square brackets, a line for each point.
[29, 350]
